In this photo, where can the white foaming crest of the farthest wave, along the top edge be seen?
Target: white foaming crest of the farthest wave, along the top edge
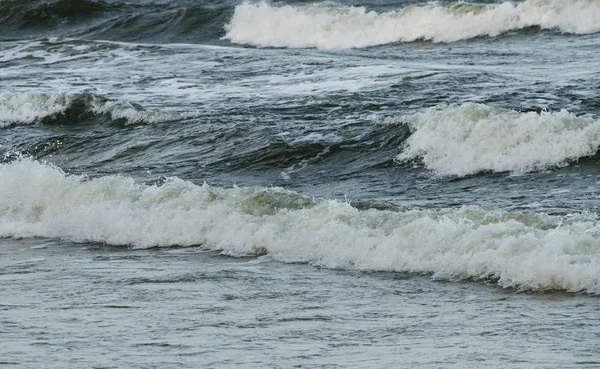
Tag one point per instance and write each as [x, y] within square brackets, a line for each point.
[332, 26]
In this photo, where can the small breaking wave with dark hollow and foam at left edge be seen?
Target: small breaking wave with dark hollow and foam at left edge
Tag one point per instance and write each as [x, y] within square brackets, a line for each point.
[34, 107]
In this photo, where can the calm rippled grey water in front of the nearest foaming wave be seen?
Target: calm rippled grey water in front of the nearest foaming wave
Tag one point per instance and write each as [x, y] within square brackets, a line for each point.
[188, 307]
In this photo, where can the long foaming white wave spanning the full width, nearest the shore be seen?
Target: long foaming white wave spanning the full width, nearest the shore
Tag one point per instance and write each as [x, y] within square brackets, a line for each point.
[524, 250]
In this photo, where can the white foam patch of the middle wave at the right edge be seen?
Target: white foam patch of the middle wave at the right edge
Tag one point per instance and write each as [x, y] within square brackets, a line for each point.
[465, 139]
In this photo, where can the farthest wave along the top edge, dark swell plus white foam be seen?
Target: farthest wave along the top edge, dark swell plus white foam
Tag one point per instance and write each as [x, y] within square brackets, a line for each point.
[324, 25]
